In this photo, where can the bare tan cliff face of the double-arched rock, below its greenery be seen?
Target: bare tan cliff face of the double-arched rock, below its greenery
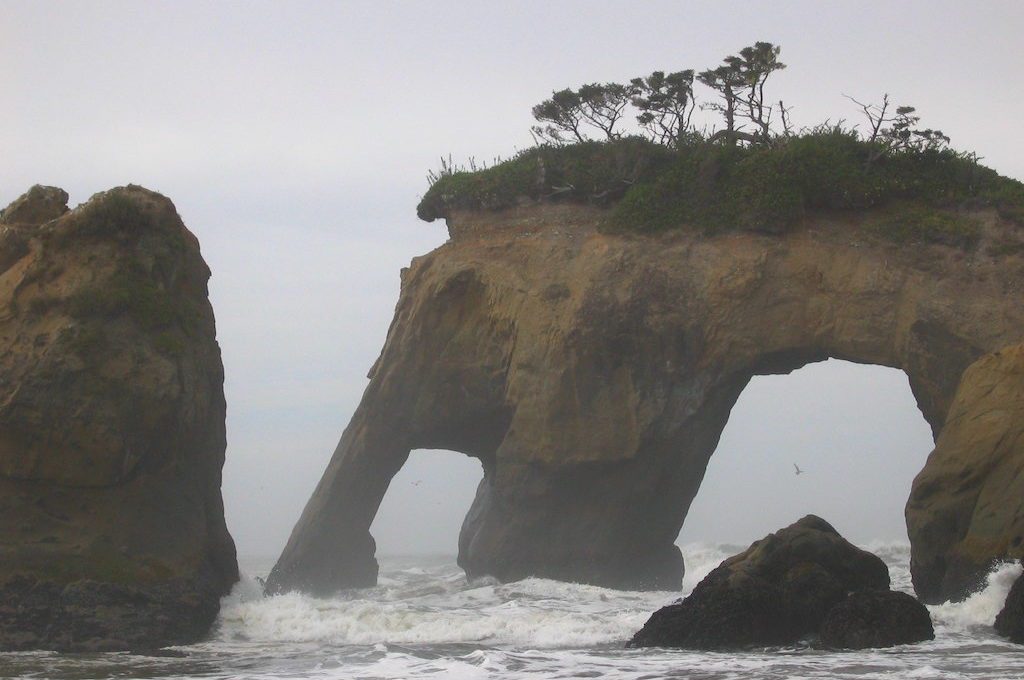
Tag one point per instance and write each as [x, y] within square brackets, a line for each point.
[593, 374]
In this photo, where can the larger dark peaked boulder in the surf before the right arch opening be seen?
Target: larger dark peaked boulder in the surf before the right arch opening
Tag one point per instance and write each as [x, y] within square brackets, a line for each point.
[777, 592]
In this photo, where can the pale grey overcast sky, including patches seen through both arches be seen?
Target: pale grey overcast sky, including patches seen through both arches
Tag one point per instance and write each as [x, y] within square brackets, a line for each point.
[294, 140]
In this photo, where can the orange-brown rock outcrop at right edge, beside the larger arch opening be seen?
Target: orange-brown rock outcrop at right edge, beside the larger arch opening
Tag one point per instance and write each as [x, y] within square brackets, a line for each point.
[967, 505]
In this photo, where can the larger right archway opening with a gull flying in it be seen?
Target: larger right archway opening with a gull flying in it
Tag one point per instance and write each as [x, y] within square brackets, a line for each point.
[855, 431]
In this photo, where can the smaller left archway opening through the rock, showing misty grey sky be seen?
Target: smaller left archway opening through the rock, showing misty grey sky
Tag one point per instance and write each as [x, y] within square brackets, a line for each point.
[426, 504]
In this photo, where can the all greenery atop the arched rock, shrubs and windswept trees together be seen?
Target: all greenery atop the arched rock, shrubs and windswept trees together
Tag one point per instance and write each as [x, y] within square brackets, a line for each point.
[766, 181]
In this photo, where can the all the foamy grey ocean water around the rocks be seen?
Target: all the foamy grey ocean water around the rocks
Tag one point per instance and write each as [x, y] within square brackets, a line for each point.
[424, 620]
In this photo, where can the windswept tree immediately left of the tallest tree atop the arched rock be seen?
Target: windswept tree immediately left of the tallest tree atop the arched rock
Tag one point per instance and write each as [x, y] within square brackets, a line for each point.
[666, 104]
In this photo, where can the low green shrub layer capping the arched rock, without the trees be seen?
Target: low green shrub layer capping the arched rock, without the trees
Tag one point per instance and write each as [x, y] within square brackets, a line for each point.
[715, 188]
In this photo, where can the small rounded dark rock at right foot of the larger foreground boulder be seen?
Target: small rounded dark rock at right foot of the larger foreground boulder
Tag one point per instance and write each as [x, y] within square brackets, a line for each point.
[877, 619]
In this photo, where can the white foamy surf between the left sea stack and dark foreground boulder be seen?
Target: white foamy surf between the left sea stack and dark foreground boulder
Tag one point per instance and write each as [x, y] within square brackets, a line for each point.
[535, 612]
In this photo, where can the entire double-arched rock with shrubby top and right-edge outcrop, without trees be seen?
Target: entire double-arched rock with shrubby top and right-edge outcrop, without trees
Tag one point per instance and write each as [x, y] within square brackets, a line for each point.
[588, 351]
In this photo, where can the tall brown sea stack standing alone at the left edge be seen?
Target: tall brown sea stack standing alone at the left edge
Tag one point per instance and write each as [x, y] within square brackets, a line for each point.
[112, 428]
